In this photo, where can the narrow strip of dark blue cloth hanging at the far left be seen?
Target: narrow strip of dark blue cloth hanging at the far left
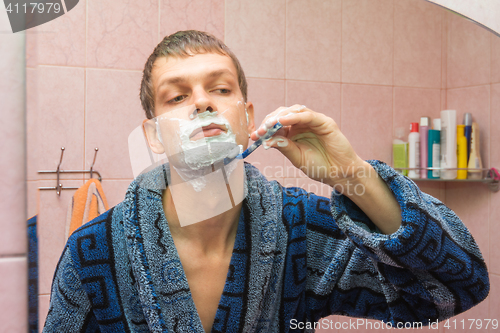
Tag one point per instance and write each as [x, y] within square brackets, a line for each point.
[32, 275]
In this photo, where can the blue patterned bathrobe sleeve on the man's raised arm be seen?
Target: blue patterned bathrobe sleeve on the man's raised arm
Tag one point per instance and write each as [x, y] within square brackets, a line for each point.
[431, 268]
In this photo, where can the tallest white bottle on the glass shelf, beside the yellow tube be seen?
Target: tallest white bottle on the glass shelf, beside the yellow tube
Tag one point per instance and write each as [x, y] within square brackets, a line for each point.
[448, 144]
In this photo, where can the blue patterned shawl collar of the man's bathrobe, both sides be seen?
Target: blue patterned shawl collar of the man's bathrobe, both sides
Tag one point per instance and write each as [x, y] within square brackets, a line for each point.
[257, 259]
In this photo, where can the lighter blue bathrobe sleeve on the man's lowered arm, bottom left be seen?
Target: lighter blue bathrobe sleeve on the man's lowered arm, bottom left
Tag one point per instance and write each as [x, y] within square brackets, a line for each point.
[70, 308]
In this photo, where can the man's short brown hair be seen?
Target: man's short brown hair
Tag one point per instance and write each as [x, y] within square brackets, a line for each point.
[184, 44]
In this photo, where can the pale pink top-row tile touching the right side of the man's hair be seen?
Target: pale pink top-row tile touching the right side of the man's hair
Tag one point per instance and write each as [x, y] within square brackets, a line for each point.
[255, 32]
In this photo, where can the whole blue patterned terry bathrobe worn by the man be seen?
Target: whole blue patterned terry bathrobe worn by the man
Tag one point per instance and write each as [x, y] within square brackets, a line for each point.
[296, 256]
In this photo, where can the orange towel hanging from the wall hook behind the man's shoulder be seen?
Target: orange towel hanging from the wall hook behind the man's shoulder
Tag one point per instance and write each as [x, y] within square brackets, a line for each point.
[87, 203]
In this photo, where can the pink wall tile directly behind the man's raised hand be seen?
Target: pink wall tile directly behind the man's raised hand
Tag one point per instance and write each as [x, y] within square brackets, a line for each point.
[321, 97]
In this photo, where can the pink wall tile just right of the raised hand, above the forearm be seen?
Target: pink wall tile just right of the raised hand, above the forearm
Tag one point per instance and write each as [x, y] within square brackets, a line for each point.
[367, 120]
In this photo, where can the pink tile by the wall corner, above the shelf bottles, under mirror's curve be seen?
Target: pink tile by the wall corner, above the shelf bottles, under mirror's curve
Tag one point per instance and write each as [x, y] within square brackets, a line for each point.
[468, 53]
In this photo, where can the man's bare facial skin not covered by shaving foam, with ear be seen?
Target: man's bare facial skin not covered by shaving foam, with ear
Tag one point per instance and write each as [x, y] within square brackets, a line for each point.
[209, 82]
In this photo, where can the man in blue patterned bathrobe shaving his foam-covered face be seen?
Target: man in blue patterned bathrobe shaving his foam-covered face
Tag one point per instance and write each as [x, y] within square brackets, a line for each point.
[283, 258]
